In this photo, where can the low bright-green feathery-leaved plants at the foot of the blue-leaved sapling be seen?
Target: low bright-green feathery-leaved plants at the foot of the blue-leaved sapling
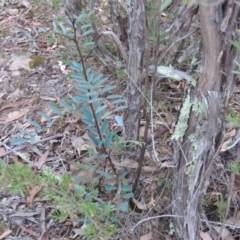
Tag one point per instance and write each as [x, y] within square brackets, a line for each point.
[69, 197]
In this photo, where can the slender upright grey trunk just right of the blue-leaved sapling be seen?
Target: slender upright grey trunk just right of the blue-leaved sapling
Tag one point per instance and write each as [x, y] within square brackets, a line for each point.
[134, 69]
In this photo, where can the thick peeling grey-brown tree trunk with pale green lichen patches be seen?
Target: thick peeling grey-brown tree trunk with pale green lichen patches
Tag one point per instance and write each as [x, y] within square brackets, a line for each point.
[196, 151]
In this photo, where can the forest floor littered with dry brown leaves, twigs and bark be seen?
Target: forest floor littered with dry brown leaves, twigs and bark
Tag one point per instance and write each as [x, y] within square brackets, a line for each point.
[34, 68]
